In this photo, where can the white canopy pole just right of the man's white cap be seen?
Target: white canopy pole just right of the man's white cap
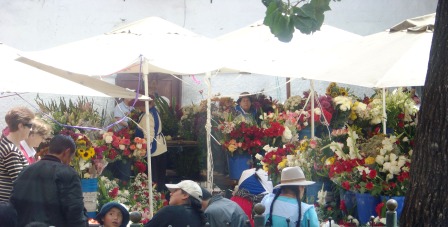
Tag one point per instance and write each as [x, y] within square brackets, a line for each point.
[208, 127]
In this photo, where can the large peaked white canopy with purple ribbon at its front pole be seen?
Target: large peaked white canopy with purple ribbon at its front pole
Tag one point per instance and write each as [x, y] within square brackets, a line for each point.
[160, 45]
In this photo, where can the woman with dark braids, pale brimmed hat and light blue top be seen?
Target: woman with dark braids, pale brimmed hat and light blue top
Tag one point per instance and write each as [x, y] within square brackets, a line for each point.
[283, 209]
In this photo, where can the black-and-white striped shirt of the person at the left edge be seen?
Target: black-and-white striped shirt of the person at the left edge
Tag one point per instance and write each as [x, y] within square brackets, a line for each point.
[12, 162]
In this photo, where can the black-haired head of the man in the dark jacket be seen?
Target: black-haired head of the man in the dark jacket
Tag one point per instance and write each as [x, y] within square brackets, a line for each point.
[63, 147]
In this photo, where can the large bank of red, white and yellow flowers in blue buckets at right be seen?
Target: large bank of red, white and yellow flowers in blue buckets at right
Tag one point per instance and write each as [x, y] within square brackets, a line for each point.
[356, 157]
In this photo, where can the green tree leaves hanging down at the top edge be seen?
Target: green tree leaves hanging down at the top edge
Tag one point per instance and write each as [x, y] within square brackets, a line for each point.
[283, 17]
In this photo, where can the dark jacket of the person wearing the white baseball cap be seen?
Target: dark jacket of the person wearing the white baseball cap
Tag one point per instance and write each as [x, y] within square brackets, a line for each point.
[175, 216]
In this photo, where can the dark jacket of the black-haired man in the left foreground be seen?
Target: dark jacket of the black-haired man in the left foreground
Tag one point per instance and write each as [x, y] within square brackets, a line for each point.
[49, 191]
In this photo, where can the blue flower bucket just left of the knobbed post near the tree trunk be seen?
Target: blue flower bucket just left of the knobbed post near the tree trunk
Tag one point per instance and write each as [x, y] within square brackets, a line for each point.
[365, 205]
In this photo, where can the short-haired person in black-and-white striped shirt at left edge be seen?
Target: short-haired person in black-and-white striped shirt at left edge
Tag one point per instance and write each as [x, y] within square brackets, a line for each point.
[12, 161]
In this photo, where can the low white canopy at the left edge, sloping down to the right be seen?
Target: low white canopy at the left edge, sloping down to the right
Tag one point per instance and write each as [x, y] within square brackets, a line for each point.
[19, 77]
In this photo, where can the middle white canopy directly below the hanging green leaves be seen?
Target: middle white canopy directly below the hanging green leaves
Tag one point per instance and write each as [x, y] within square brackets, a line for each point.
[254, 49]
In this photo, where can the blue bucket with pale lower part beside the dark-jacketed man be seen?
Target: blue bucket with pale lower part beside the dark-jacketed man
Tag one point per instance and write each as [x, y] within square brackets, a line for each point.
[90, 194]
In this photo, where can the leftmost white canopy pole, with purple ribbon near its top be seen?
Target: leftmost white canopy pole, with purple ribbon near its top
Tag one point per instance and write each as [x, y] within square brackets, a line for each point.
[148, 131]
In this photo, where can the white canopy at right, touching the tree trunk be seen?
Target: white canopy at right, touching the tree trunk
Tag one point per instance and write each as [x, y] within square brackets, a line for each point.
[398, 57]
